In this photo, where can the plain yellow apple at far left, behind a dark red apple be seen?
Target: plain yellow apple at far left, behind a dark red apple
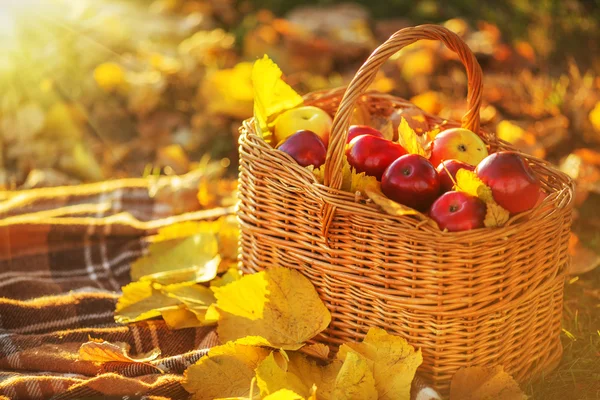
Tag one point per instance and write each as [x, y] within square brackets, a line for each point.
[303, 118]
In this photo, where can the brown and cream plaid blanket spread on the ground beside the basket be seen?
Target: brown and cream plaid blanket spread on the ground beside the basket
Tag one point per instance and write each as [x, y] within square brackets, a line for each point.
[64, 255]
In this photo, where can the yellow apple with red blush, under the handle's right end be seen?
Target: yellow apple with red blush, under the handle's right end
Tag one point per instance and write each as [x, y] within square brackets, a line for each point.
[458, 144]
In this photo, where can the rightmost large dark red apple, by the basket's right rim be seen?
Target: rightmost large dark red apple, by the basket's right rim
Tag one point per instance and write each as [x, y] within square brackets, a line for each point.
[514, 185]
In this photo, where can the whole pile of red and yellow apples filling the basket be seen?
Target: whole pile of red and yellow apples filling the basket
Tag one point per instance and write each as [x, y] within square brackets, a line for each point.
[426, 185]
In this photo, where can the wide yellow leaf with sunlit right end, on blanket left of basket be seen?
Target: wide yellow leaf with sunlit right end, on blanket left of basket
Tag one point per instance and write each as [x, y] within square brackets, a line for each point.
[194, 251]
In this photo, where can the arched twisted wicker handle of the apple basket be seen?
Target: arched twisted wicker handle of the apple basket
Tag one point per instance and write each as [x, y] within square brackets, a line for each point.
[365, 76]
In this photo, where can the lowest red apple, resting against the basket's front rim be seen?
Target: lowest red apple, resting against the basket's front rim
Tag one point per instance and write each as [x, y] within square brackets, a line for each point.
[458, 211]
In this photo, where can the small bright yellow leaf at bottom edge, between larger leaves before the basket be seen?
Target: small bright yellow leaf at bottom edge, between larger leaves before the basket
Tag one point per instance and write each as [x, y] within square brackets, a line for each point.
[270, 378]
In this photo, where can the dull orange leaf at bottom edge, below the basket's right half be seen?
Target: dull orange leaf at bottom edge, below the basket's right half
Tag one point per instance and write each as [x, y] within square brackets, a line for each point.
[481, 383]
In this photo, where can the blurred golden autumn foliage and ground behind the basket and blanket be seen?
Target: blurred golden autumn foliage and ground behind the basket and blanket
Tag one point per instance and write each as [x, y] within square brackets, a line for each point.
[100, 89]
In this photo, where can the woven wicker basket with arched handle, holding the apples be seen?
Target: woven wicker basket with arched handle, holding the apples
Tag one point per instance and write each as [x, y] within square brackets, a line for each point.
[489, 296]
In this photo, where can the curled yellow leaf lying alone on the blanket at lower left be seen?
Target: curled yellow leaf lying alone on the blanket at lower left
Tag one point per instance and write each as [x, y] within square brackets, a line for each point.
[100, 351]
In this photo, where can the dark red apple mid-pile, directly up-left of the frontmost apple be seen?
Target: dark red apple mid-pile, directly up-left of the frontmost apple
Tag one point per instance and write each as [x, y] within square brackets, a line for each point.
[411, 180]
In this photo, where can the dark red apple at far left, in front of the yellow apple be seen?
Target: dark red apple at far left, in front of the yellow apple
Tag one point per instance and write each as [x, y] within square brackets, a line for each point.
[306, 147]
